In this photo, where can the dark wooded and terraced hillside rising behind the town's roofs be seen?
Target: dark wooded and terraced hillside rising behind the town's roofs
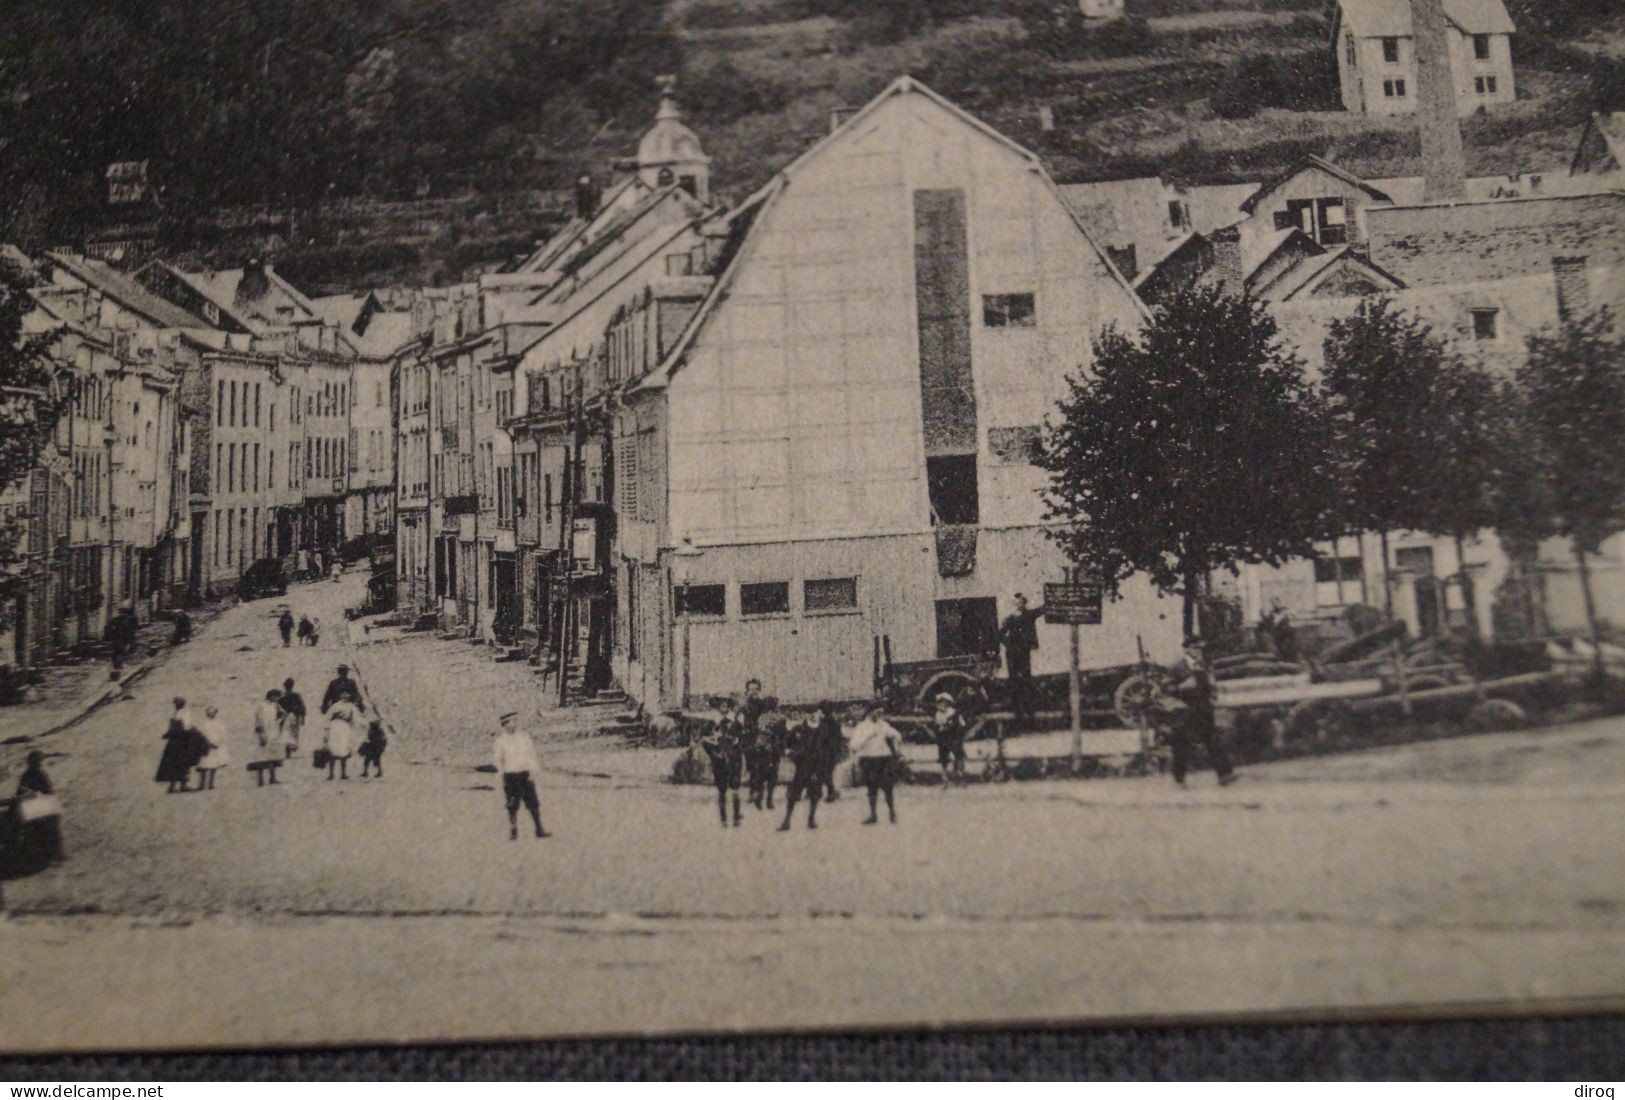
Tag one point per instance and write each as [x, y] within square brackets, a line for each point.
[475, 115]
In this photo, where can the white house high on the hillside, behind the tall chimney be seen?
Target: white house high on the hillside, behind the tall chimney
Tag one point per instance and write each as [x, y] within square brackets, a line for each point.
[1377, 67]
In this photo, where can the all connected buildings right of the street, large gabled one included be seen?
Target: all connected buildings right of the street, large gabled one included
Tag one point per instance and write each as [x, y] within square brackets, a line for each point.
[794, 436]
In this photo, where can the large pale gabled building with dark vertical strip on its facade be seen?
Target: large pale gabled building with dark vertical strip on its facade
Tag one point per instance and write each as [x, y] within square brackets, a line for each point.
[836, 457]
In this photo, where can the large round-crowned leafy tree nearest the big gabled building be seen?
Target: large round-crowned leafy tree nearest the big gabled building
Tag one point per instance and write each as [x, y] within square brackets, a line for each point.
[1192, 446]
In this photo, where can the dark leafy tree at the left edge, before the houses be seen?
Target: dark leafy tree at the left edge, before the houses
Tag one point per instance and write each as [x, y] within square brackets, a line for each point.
[28, 410]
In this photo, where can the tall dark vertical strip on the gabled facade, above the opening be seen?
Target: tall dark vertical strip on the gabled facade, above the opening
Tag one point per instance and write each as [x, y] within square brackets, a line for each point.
[943, 305]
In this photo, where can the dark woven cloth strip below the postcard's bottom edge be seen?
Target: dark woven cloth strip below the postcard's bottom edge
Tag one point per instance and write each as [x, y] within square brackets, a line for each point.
[1546, 1049]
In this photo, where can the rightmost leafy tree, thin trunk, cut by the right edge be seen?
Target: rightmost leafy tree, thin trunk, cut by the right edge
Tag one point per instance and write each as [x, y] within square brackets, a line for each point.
[1574, 383]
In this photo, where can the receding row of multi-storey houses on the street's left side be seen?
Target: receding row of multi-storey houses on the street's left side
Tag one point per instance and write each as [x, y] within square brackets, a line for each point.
[214, 420]
